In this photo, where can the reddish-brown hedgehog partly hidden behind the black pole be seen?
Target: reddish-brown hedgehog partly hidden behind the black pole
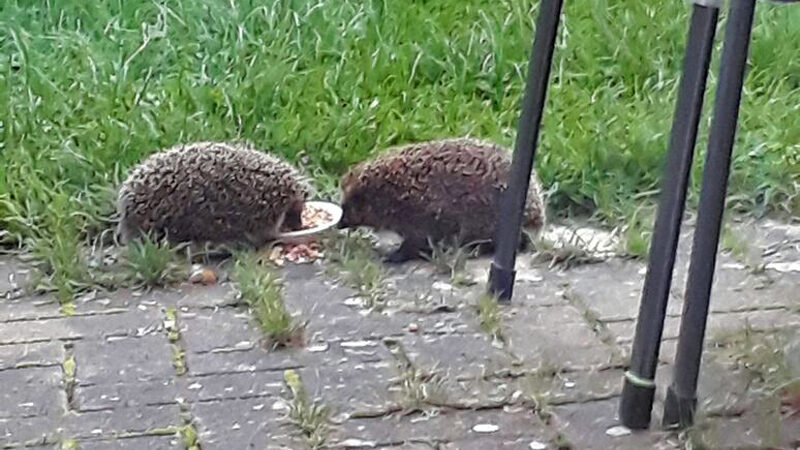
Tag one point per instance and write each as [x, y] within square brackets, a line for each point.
[445, 190]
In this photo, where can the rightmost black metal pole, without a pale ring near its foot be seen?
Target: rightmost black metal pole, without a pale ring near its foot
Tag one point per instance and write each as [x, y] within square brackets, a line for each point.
[680, 403]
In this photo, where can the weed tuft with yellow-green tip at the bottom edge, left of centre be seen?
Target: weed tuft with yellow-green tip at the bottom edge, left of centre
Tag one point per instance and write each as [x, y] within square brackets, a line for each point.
[312, 418]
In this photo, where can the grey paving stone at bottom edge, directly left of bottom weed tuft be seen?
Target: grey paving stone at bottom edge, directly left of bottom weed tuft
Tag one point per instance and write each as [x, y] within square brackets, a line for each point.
[243, 424]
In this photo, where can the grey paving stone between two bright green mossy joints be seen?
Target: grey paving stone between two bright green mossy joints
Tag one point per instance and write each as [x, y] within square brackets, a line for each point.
[123, 360]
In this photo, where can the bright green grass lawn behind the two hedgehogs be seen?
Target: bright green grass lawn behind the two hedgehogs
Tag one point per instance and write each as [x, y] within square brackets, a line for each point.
[87, 88]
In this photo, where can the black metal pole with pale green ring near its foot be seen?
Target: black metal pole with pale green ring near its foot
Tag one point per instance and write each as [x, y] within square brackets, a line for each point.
[639, 386]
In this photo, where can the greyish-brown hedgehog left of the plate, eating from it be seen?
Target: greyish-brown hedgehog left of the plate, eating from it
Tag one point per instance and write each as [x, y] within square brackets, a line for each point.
[211, 192]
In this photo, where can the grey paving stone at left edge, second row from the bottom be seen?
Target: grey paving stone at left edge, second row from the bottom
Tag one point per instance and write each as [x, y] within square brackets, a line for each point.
[34, 391]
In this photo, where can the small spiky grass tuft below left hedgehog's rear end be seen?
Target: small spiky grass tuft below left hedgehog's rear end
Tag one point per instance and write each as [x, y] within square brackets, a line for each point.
[152, 263]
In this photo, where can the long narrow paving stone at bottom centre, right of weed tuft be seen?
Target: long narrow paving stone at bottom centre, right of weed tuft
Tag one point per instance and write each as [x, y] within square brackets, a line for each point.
[444, 426]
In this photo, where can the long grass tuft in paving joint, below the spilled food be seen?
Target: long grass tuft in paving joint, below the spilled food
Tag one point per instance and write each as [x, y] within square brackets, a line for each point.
[262, 291]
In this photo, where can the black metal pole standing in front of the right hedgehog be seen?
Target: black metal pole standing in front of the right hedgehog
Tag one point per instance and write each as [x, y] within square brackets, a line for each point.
[512, 203]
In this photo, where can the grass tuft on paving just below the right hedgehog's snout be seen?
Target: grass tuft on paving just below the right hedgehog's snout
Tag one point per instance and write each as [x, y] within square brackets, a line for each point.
[353, 263]
